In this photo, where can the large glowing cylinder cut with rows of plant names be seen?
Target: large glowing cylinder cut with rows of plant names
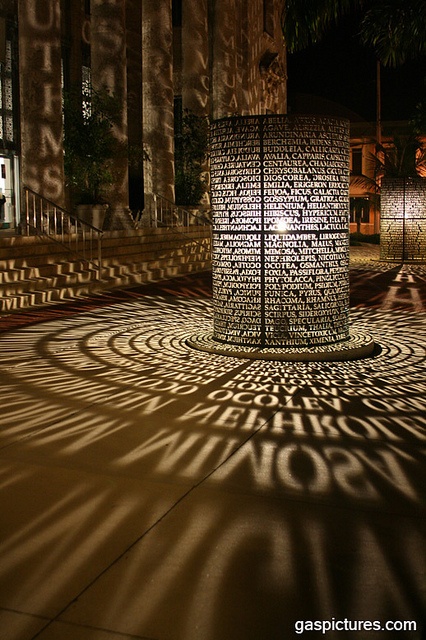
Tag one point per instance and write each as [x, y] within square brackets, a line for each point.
[280, 197]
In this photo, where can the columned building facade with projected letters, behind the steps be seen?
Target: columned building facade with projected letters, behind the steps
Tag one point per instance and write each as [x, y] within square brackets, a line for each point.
[159, 58]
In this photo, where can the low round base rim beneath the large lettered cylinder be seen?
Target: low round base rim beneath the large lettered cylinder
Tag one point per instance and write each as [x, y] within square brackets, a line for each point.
[358, 345]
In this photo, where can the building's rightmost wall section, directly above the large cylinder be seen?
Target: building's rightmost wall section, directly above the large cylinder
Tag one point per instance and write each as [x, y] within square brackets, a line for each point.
[231, 59]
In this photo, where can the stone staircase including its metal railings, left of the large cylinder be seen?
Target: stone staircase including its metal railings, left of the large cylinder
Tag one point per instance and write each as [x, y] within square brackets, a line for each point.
[63, 258]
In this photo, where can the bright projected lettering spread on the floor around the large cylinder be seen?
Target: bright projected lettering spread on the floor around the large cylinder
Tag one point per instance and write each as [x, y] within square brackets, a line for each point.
[151, 371]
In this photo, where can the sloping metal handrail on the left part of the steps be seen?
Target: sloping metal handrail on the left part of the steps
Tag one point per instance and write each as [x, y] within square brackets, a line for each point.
[46, 218]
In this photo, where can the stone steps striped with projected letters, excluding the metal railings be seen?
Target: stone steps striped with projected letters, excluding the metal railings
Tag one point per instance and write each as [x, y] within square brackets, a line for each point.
[36, 270]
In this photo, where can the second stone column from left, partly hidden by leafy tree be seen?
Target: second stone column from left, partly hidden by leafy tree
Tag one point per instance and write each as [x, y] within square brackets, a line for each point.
[108, 60]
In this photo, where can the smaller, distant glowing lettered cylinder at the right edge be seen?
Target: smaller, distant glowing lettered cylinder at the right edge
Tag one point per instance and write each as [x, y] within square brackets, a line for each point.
[403, 219]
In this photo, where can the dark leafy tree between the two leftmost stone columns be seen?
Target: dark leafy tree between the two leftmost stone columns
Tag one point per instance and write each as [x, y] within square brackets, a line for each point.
[90, 145]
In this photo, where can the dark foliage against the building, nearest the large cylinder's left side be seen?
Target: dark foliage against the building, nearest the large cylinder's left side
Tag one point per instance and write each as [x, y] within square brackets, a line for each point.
[191, 148]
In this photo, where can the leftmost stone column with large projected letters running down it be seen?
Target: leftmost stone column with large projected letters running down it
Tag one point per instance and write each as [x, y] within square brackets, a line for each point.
[42, 167]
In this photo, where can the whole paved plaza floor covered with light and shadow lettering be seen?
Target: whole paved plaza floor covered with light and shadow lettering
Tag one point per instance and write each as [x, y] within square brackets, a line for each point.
[152, 491]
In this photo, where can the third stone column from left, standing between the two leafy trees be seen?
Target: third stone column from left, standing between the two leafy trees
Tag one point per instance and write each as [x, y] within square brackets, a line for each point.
[157, 84]
